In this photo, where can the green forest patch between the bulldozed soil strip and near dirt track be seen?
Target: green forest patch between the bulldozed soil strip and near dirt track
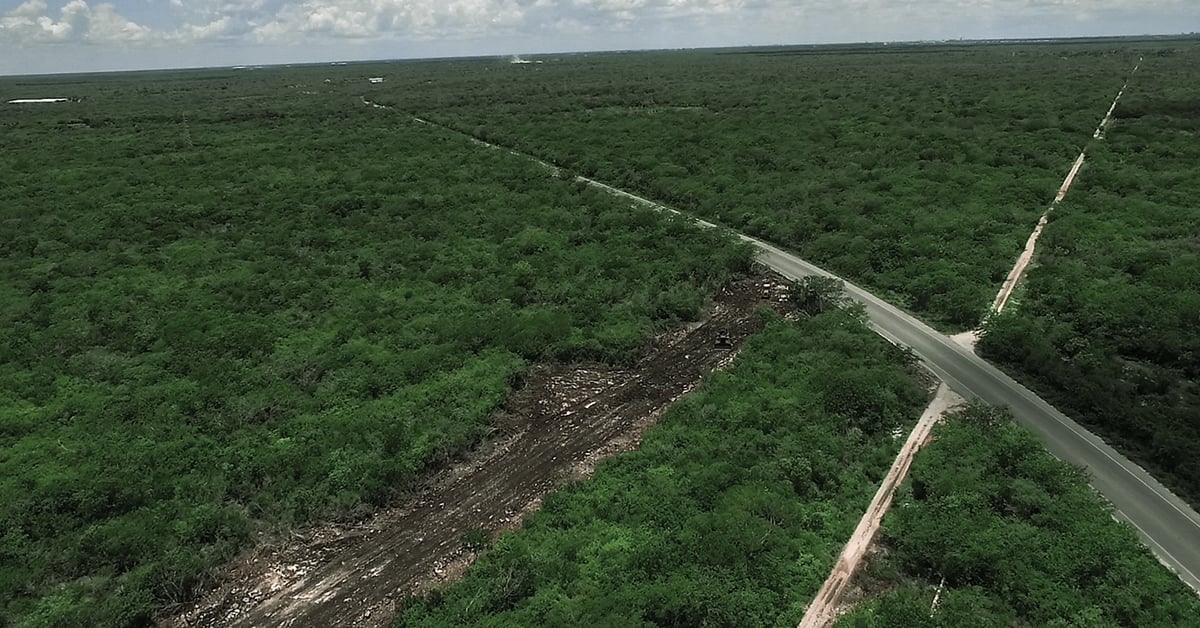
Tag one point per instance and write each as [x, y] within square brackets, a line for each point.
[730, 515]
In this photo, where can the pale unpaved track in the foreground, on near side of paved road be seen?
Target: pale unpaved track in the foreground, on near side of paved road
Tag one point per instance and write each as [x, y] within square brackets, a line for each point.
[825, 606]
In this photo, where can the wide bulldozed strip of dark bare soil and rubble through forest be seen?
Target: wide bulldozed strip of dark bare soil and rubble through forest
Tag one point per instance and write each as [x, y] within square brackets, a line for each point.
[554, 430]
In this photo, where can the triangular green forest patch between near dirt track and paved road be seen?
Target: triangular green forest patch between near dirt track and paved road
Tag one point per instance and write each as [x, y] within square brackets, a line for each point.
[1019, 539]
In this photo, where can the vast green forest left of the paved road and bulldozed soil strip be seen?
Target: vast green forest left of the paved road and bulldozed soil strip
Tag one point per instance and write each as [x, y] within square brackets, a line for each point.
[229, 308]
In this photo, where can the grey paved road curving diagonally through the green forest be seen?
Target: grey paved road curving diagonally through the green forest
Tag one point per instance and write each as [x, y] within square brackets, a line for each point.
[1168, 525]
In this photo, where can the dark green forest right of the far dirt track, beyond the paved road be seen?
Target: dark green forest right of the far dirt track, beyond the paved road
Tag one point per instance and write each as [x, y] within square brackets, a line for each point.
[1107, 327]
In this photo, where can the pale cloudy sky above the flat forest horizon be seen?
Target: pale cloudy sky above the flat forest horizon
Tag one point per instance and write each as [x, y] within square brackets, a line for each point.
[39, 37]
